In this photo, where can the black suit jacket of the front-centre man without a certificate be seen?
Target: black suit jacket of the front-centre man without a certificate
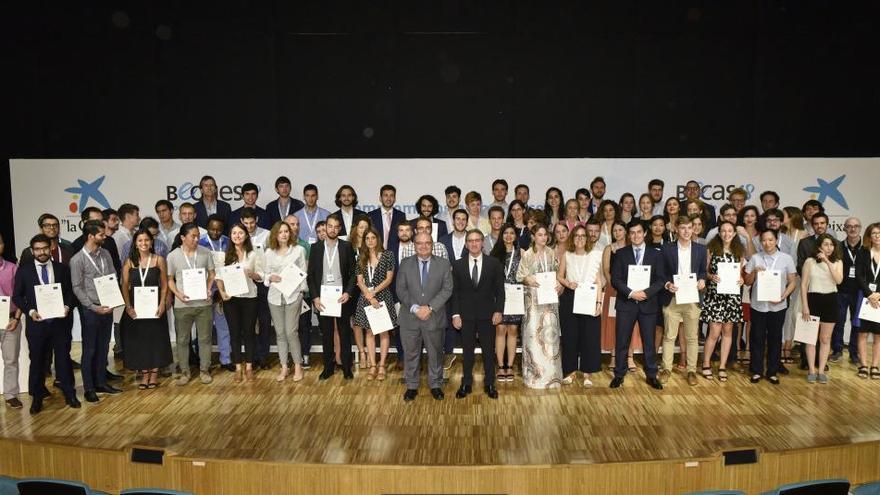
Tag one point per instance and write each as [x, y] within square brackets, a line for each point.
[477, 303]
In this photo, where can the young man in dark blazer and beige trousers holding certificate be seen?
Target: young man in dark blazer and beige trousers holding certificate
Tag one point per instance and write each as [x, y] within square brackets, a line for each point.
[684, 264]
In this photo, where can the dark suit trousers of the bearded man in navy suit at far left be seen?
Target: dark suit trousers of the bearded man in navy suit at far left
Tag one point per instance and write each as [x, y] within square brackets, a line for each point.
[51, 337]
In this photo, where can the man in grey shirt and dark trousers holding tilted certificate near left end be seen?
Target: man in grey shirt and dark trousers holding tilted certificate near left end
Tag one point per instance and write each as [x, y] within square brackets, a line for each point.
[89, 269]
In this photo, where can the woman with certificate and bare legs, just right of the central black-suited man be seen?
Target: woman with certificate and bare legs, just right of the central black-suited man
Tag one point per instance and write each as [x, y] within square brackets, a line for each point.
[509, 254]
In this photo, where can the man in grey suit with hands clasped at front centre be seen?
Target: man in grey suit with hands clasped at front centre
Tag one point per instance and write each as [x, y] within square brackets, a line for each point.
[424, 285]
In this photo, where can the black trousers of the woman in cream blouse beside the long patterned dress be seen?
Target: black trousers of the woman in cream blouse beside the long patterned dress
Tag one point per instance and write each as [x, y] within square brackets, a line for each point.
[581, 338]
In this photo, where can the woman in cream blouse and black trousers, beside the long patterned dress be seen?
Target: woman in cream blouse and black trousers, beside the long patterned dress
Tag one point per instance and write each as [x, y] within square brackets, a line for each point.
[580, 307]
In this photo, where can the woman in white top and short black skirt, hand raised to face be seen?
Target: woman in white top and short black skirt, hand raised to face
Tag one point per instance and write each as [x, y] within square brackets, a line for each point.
[821, 274]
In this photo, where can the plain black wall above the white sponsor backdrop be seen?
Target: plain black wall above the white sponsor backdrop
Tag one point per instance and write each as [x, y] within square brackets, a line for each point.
[418, 78]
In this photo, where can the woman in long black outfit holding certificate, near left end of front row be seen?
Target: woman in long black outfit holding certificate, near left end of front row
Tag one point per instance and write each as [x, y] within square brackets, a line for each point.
[144, 326]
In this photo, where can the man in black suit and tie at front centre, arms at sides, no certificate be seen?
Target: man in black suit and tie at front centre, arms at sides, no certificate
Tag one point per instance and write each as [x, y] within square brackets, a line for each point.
[477, 304]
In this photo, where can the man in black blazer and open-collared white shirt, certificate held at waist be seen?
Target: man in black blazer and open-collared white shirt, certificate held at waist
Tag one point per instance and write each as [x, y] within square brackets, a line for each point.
[332, 262]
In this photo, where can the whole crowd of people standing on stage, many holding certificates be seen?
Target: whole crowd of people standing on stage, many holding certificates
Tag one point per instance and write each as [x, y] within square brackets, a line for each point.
[569, 281]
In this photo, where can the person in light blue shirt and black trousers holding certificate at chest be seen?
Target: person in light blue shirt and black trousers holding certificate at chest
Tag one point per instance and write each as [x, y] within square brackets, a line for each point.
[773, 277]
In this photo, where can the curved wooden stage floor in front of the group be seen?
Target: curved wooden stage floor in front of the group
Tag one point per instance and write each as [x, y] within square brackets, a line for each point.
[341, 436]
